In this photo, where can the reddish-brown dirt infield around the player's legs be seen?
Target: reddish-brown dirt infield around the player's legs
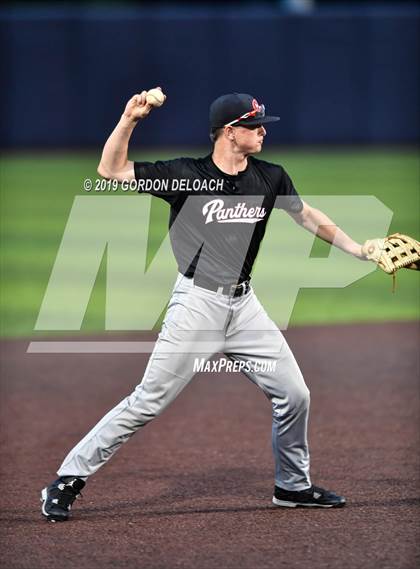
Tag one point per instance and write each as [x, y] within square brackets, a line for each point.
[193, 489]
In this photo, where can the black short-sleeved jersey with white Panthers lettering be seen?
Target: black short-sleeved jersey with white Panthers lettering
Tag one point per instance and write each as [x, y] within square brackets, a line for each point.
[217, 220]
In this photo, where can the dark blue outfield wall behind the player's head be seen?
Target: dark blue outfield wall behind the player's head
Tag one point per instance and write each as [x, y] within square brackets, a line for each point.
[332, 77]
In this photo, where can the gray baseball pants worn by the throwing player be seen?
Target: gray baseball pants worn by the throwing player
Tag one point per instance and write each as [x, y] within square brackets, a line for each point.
[198, 324]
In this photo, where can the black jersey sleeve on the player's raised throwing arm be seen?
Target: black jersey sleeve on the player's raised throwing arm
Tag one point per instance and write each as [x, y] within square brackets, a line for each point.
[156, 178]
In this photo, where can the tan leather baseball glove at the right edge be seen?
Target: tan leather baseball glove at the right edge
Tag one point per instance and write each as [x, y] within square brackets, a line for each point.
[397, 251]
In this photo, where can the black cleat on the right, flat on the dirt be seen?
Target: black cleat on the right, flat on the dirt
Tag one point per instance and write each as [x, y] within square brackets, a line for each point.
[314, 497]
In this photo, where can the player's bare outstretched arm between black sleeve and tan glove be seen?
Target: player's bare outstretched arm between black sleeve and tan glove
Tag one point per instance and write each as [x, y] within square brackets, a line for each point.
[318, 223]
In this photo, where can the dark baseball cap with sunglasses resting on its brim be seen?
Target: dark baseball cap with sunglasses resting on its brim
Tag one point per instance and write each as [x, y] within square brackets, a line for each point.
[229, 109]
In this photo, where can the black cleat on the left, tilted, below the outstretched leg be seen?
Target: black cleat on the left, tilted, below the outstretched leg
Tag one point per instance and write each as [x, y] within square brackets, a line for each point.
[58, 497]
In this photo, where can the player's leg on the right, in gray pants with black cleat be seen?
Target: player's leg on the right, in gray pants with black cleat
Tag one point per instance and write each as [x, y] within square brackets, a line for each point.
[269, 363]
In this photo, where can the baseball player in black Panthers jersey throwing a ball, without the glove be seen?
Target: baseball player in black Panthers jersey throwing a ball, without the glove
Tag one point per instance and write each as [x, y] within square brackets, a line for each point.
[215, 231]
